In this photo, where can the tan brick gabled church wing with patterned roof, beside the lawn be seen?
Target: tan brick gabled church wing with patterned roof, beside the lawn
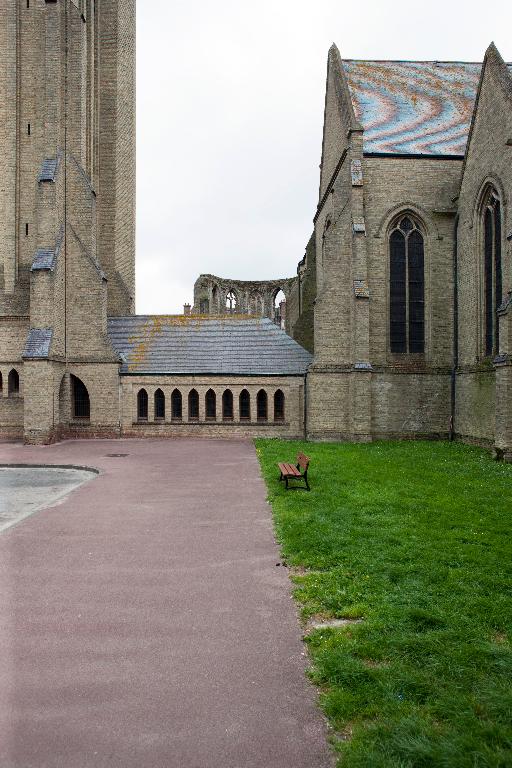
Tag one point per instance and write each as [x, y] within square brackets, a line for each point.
[408, 273]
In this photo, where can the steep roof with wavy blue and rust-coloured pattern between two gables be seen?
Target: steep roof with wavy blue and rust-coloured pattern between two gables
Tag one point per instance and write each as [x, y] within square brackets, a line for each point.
[413, 107]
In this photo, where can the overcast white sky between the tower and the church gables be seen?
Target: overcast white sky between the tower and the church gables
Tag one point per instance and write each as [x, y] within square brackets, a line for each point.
[229, 122]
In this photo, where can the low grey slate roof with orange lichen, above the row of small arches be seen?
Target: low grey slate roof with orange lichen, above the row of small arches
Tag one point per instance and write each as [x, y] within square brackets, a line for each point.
[178, 344]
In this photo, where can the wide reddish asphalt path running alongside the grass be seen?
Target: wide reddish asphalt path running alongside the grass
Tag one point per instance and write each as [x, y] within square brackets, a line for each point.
[144, 623]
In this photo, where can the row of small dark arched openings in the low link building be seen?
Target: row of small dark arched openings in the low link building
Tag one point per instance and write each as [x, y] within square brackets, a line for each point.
[185, 407]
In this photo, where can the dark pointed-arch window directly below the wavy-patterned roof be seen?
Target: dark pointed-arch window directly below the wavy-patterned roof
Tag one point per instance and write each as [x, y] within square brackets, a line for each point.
[406, 287]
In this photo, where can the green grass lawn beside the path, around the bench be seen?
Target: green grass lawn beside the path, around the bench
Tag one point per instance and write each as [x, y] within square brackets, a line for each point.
[413, 538]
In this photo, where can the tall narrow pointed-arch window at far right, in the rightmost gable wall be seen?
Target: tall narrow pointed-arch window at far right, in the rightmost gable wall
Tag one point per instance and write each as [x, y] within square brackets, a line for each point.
[492, 272]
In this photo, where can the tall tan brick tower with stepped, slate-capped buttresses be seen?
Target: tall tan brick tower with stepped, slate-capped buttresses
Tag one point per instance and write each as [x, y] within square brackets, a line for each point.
[67, 211]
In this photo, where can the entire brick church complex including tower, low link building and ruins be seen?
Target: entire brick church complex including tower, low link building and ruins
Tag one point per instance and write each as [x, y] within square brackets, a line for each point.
[399, 319]
